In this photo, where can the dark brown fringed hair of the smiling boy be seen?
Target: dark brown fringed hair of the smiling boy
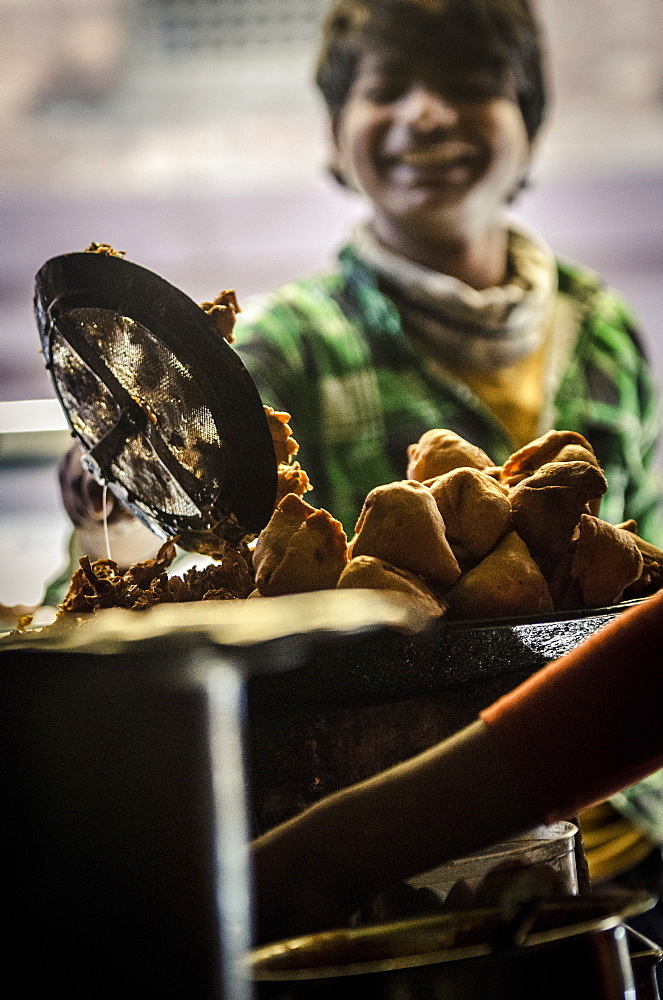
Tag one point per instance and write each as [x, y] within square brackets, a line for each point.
[501, 34]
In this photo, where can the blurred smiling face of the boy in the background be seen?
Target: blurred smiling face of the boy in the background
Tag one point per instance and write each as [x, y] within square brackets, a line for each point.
[438, 150]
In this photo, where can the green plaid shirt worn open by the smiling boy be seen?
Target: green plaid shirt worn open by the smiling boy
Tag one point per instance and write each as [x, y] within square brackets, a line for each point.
[332, 352]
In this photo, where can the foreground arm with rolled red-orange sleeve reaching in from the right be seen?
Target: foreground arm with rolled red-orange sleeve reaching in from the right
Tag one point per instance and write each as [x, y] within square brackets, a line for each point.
[540, 753]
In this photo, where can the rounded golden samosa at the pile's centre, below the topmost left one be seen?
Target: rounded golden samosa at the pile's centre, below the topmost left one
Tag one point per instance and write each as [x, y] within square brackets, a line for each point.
[475, 510]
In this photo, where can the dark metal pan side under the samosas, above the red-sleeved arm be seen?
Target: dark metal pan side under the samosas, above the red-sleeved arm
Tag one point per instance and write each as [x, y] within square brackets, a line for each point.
[350, 710]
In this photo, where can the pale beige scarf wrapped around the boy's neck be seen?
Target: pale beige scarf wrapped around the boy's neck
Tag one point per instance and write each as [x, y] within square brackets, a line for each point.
[470, 328]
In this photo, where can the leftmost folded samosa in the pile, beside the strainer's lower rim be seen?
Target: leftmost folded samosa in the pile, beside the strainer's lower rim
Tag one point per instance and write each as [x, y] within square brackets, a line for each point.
[301, 549]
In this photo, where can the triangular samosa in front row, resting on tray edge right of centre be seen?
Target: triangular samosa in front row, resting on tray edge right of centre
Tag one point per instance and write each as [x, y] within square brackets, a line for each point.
[507, 582]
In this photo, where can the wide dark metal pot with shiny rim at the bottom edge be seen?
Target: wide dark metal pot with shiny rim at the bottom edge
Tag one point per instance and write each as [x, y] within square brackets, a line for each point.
[574, 948]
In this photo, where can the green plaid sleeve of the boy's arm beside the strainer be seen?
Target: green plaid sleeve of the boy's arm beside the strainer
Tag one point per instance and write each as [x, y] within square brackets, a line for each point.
[309, 357]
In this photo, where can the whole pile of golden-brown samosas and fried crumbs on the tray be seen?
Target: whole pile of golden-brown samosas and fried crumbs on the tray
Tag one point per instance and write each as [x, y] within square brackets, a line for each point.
[460, 536]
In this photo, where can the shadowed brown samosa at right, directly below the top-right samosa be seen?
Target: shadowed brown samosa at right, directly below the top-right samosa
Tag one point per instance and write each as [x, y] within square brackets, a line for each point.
[547, 507]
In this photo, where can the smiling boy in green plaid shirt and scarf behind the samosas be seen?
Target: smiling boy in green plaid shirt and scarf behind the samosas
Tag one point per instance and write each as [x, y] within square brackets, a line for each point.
[443, 312]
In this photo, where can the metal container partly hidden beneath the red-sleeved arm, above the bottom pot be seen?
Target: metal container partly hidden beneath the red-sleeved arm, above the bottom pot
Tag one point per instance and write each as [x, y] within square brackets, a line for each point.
[545, 854]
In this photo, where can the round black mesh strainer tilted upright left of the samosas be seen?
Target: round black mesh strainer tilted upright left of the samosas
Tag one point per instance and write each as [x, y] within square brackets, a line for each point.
[167, 414]
